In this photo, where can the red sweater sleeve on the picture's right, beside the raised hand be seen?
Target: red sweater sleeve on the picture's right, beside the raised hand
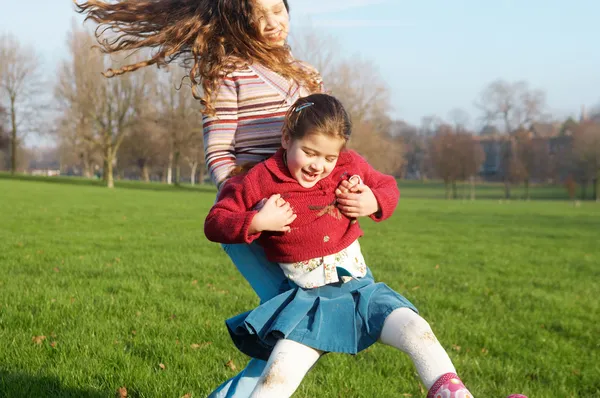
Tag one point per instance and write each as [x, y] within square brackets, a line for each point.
[384, 187]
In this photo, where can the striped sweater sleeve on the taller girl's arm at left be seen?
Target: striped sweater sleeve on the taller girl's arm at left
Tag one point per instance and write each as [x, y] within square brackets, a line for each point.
[219, 131]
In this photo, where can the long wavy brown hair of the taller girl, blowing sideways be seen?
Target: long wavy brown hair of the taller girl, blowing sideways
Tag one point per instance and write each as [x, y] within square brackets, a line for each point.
[215, 37]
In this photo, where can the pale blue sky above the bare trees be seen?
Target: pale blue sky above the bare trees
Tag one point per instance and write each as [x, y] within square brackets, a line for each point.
[435, 55]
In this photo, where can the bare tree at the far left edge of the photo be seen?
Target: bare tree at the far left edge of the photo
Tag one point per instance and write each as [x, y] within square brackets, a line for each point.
[19, 83]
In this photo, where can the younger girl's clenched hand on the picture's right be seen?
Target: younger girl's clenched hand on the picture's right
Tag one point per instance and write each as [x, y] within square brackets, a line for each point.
[356, 200]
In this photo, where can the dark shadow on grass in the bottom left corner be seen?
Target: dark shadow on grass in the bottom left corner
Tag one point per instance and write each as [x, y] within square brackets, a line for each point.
[19, 385]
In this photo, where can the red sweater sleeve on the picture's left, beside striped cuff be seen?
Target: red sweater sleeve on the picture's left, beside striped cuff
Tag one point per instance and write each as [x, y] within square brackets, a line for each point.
[229, 219]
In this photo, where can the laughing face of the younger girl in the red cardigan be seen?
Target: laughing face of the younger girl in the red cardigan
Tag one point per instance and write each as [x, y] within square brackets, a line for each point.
[312, 157]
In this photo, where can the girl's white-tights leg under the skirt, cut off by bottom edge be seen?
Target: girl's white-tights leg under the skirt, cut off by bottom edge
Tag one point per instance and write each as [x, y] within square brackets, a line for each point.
[287, 366]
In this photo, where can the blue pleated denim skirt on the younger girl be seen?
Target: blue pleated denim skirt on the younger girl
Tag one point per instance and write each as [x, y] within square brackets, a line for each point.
[341, 317]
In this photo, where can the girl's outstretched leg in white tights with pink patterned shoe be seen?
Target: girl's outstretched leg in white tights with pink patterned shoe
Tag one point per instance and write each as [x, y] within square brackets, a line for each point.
[408, 332]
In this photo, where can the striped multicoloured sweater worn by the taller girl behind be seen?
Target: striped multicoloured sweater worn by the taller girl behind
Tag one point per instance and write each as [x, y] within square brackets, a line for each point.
[250, 108]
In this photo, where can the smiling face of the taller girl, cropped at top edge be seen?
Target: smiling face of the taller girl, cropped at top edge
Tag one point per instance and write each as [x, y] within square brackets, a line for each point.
[272, 21]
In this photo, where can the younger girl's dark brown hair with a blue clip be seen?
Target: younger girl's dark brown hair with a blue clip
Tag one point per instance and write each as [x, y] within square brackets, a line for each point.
[317, 114]
